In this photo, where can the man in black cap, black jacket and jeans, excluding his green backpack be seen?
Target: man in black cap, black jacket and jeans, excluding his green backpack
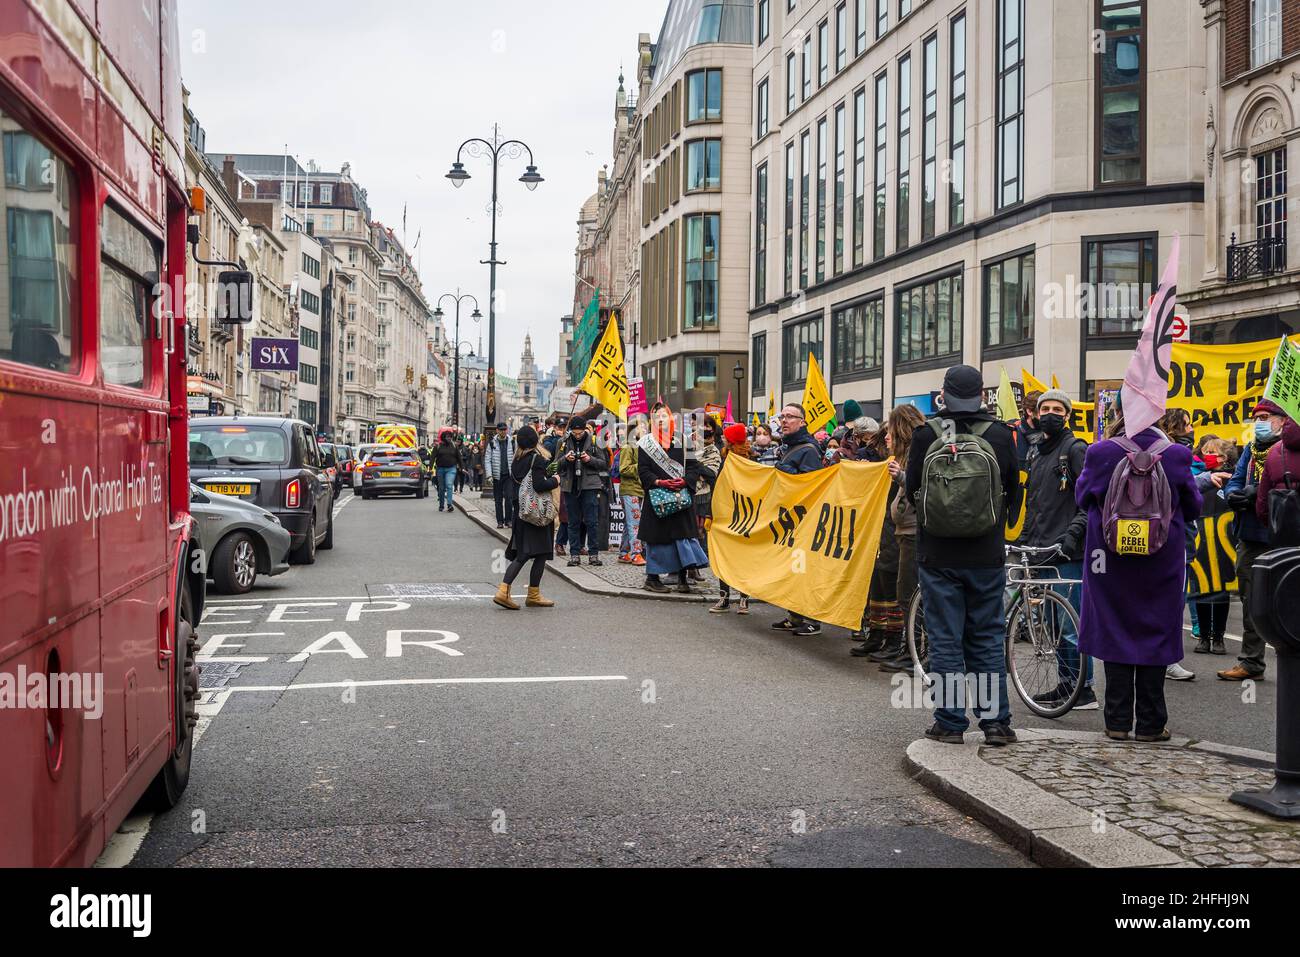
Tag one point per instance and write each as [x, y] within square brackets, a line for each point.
[963, 579]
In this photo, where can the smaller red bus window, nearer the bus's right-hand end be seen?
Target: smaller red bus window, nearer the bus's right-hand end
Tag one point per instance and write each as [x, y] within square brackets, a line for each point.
[129, 271]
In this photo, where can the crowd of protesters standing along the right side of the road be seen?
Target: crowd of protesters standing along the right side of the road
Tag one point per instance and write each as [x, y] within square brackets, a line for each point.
[1061, 486]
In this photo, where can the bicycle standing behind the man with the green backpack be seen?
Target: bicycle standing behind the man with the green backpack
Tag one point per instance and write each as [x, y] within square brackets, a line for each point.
[1035, 638]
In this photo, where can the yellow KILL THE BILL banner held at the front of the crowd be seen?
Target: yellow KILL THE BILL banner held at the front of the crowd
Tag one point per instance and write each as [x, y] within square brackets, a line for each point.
[803, 543]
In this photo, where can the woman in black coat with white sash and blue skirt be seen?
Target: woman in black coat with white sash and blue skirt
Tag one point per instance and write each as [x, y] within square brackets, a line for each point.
[671, 544]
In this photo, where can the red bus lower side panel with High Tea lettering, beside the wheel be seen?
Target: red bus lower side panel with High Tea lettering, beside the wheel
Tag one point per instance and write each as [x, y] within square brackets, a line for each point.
[133, 543]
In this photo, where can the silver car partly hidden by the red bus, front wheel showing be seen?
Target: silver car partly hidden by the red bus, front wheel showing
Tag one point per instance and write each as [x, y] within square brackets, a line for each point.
[241, 540]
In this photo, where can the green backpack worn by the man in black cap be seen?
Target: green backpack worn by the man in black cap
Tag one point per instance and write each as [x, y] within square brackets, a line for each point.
[961, 484]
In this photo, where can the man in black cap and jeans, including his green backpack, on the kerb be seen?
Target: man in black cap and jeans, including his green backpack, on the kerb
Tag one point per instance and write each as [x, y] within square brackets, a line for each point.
[960, 552]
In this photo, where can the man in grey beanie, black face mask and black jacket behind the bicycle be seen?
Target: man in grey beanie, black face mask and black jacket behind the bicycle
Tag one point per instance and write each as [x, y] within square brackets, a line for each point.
[1052, 517]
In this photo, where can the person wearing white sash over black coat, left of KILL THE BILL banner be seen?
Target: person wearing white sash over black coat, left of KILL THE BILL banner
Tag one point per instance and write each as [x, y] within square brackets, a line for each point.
[669, 525]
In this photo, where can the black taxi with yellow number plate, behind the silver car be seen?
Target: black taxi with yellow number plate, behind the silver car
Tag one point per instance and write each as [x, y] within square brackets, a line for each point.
[270, 462]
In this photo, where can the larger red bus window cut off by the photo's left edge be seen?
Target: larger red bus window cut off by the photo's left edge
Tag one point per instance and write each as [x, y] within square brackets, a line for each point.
[38, 259]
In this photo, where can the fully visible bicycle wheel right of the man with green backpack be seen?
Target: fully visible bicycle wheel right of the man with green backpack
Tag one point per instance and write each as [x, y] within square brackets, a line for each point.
[1035, 638]
